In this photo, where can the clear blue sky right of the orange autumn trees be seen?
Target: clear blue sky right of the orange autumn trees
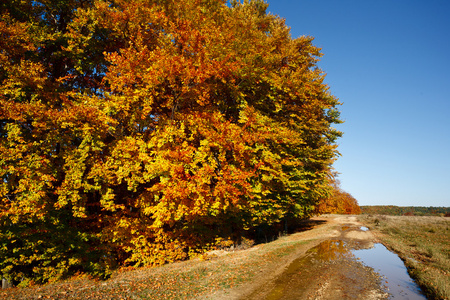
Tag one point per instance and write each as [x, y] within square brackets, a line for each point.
[388, 61]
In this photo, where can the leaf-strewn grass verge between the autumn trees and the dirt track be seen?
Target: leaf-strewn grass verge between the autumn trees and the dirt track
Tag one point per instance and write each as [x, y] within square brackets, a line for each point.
[211, 278]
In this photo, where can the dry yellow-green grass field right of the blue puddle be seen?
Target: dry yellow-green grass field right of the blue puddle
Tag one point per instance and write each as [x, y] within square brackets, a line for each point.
[424, 245]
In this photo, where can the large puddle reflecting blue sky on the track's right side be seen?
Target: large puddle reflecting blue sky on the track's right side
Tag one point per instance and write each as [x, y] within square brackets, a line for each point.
[392, 268]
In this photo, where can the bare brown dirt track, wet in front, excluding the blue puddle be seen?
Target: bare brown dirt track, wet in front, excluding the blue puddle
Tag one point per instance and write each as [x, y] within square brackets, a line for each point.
[324, 269]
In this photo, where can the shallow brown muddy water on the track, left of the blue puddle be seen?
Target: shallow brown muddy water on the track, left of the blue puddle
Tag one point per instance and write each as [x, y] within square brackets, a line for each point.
[327, 271]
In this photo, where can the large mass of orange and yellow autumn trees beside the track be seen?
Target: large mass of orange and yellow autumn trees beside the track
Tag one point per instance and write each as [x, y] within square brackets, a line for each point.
[141, 132]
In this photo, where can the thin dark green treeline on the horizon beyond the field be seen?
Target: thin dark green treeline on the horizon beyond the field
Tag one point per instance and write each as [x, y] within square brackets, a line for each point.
[405, 210]
